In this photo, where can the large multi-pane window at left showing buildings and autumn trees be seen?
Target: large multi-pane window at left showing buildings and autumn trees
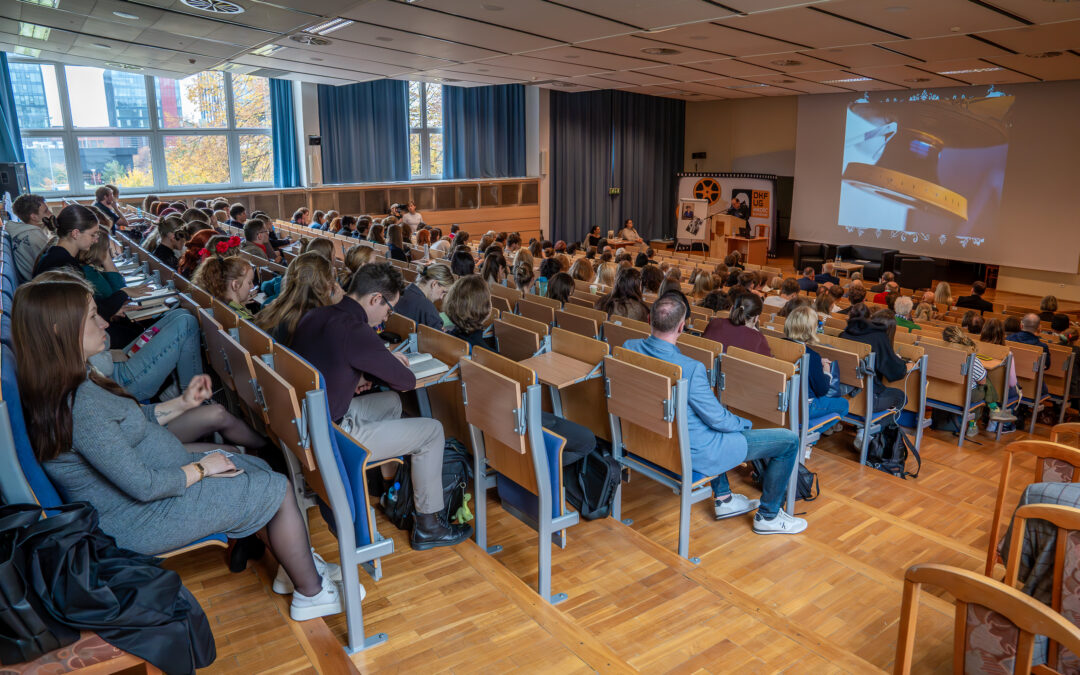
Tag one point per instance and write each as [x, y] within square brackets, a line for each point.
[85, 127]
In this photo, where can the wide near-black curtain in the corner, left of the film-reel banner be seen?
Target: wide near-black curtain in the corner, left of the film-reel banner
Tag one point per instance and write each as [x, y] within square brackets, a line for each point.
[614, 140]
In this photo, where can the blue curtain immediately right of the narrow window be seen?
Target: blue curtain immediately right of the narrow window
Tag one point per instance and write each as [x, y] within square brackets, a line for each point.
[484, 131]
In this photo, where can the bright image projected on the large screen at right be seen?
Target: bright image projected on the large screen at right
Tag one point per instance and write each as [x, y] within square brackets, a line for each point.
[925, 163]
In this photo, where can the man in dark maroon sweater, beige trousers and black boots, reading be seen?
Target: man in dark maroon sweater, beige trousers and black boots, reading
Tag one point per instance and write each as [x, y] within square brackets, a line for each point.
[341, 342]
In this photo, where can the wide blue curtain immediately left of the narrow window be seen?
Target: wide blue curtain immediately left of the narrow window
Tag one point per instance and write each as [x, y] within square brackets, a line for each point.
[364, 132]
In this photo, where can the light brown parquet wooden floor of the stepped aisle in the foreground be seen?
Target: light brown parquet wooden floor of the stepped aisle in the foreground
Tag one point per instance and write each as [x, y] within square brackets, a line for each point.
[822, 602]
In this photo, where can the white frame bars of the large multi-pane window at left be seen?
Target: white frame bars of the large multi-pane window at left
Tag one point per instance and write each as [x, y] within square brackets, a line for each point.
[157, 134]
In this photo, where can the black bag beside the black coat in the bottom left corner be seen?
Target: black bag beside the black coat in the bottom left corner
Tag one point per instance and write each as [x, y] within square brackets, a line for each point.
[28, 632]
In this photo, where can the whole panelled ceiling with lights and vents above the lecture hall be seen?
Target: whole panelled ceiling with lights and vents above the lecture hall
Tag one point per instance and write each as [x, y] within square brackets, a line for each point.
[697, 50]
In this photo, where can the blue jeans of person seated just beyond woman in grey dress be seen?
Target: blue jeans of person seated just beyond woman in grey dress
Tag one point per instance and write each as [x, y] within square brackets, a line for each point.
[175, 347]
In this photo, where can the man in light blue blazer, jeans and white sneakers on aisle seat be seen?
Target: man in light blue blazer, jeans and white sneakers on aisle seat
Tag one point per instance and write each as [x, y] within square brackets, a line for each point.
[721, 440]
